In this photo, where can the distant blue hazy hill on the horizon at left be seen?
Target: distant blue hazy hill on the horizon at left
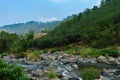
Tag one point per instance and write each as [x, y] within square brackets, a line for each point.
[23, 28]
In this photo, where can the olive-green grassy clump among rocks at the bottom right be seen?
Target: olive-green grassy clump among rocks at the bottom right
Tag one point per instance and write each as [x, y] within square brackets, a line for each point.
[90, 73]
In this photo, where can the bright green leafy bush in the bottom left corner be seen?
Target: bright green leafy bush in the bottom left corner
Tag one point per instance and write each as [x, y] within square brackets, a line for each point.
[10, 72]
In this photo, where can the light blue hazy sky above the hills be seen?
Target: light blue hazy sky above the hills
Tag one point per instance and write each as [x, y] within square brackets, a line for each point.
[18, 11]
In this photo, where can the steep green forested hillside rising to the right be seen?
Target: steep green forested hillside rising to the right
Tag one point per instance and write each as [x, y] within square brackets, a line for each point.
[97, 27]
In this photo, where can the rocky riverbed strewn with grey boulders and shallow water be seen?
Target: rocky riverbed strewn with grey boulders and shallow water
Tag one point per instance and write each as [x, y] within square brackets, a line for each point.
[64, 66]
